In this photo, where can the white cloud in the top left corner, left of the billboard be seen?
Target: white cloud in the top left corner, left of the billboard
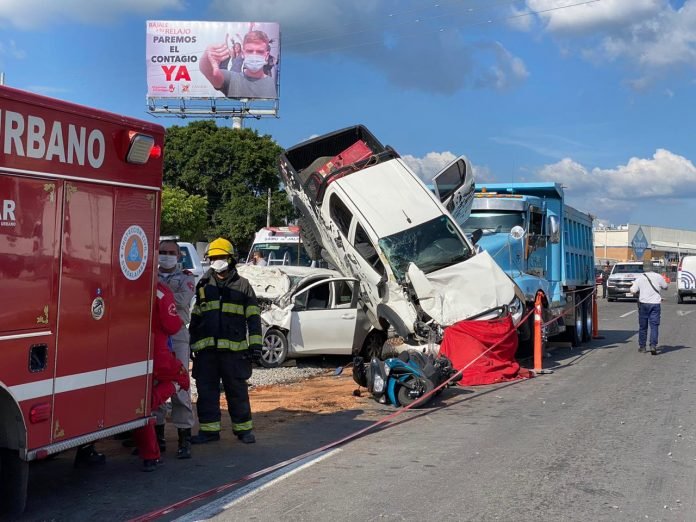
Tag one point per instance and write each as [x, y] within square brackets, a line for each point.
[28, 14]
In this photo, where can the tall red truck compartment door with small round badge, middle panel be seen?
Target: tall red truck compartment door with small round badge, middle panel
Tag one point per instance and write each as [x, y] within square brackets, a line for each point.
[84, 315]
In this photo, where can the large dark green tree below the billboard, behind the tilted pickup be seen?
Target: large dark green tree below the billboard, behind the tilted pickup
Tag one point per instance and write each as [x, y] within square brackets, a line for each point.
[233, 169]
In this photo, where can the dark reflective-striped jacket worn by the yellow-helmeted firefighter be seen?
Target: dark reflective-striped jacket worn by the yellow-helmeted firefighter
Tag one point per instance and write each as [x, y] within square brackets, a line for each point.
[224, 311]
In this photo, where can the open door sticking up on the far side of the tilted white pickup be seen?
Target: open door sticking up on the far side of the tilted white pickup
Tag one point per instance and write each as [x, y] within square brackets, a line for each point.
[454, 186]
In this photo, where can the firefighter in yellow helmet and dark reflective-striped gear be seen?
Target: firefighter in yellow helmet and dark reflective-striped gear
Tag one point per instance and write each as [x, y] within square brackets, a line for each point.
[224, 311]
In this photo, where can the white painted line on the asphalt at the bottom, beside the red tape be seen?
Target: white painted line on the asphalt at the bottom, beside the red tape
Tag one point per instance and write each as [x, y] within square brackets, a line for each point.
[218, 507]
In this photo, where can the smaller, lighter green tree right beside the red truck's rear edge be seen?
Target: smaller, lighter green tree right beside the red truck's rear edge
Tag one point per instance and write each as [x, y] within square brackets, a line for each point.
[183, 214]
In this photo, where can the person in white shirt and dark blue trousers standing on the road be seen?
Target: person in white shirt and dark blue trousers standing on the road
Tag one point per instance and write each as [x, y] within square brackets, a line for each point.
[648, 286]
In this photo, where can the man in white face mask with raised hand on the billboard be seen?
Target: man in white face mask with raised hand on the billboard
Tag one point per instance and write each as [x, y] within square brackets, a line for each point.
[252, 82]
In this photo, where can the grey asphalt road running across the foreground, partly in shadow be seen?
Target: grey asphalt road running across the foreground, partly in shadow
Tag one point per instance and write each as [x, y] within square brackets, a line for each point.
[610, 435]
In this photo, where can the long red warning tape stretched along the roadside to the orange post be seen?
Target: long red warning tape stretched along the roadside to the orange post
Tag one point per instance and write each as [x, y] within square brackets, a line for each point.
[205, 494]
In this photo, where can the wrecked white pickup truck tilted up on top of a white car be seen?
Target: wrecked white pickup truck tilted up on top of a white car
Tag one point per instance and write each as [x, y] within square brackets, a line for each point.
[376, 221]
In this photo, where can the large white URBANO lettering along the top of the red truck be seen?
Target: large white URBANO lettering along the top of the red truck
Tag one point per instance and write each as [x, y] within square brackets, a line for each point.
[30, 137]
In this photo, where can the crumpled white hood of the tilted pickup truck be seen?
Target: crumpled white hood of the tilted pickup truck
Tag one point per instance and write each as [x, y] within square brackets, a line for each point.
[459, 291]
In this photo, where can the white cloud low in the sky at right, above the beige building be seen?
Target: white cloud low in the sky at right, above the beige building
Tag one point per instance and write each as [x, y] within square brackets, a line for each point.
[614, 193]
